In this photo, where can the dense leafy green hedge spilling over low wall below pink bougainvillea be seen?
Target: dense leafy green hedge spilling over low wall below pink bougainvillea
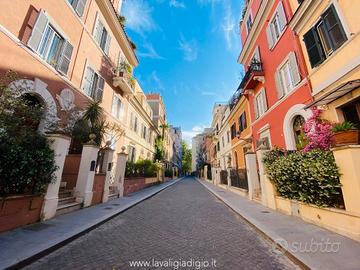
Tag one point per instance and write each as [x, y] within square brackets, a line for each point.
[310, 177]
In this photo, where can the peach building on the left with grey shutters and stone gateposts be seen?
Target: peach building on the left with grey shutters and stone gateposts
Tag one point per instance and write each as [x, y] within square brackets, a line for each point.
[67, 53]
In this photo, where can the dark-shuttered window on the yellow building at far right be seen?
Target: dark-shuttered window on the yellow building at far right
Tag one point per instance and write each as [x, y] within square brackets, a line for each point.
[325, 37]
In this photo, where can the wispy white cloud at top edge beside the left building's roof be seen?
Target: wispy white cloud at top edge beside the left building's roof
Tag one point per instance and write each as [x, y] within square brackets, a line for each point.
[138, 16]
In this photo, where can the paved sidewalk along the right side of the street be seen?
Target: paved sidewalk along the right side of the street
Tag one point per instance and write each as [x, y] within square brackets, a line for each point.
[311, 246]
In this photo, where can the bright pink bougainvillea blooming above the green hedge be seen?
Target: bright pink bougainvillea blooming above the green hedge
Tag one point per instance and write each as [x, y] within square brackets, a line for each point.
[318, 132]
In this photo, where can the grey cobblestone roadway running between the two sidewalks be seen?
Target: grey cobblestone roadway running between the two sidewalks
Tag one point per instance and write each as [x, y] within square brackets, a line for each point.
[183, 224]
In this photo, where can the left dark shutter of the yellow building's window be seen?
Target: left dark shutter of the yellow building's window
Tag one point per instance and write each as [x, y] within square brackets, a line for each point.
[313, 47]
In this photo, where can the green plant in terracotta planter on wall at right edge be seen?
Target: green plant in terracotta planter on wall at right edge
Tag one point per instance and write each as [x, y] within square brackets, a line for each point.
[346, 133]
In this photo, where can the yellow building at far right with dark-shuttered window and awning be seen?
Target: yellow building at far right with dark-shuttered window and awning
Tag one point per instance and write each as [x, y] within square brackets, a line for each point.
[329, 32]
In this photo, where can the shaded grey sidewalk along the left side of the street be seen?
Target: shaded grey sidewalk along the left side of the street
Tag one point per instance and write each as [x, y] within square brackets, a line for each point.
[33, 241]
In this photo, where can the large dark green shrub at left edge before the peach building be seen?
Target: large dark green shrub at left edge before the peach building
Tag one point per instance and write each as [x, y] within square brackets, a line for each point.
[27, 163]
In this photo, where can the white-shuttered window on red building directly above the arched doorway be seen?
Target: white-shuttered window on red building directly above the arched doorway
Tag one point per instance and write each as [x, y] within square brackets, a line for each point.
[287, 76]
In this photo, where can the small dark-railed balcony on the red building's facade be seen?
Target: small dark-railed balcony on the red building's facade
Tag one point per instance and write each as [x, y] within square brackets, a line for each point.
[253, 76]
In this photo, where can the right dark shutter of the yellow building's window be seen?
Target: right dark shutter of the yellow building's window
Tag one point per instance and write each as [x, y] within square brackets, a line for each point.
[334, 27]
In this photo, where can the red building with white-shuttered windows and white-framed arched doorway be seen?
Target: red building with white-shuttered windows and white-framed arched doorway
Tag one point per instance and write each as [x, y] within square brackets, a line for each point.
[276, 82]
